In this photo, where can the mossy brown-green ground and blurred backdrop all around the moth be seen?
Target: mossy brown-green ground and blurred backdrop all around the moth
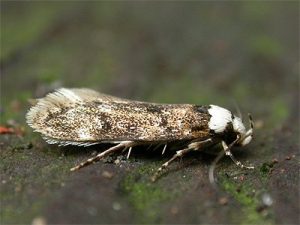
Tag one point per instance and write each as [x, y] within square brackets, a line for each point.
[175, 52]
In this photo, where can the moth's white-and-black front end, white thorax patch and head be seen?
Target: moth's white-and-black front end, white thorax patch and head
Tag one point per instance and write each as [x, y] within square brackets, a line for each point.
[225, 124]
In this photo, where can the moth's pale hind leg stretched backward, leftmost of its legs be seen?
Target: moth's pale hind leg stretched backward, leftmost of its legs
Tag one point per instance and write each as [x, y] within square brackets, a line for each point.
[124, 144]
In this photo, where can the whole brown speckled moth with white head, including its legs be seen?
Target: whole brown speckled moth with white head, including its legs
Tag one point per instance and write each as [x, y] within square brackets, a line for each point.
[84, 117]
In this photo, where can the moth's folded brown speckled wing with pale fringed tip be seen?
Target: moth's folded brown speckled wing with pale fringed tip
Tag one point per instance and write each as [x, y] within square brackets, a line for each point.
[105, 118]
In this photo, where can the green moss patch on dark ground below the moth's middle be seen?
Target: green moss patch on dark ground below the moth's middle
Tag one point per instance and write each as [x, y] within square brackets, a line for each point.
[144, 196]
